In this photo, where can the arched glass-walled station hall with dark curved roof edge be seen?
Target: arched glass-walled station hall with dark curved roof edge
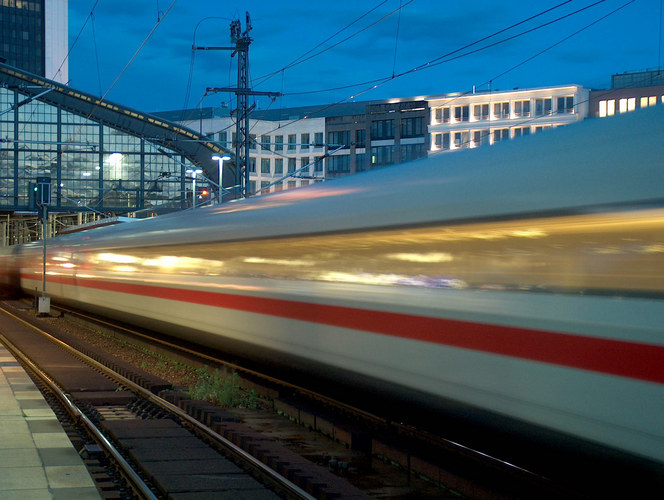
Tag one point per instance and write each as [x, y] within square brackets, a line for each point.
[101, 158]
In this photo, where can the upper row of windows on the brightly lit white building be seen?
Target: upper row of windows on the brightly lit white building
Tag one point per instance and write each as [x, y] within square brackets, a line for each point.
[504, 110]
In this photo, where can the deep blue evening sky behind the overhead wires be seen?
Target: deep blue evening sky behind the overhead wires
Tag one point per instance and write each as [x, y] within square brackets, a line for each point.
[387, 42]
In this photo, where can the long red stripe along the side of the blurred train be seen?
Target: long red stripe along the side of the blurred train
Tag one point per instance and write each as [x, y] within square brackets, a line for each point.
[615, 357]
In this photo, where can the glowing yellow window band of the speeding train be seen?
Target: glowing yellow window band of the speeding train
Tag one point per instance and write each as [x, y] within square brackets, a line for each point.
[619, 253]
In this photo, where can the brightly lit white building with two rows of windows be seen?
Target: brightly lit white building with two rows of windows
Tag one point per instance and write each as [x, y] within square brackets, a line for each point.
[469, 120]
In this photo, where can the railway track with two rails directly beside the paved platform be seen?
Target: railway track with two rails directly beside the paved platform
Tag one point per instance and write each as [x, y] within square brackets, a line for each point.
[151, 448]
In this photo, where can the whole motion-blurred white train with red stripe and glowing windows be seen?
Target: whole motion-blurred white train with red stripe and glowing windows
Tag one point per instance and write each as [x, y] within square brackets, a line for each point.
[524, 280]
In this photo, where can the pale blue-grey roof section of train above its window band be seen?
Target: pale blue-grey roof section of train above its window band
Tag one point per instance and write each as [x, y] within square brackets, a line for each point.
[572, 169]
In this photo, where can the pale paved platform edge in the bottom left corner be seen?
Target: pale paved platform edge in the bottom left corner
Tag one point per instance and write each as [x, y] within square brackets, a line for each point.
[37, 459]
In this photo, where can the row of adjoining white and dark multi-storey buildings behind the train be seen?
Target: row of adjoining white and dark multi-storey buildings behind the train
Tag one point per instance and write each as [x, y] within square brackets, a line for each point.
[294, 147]
